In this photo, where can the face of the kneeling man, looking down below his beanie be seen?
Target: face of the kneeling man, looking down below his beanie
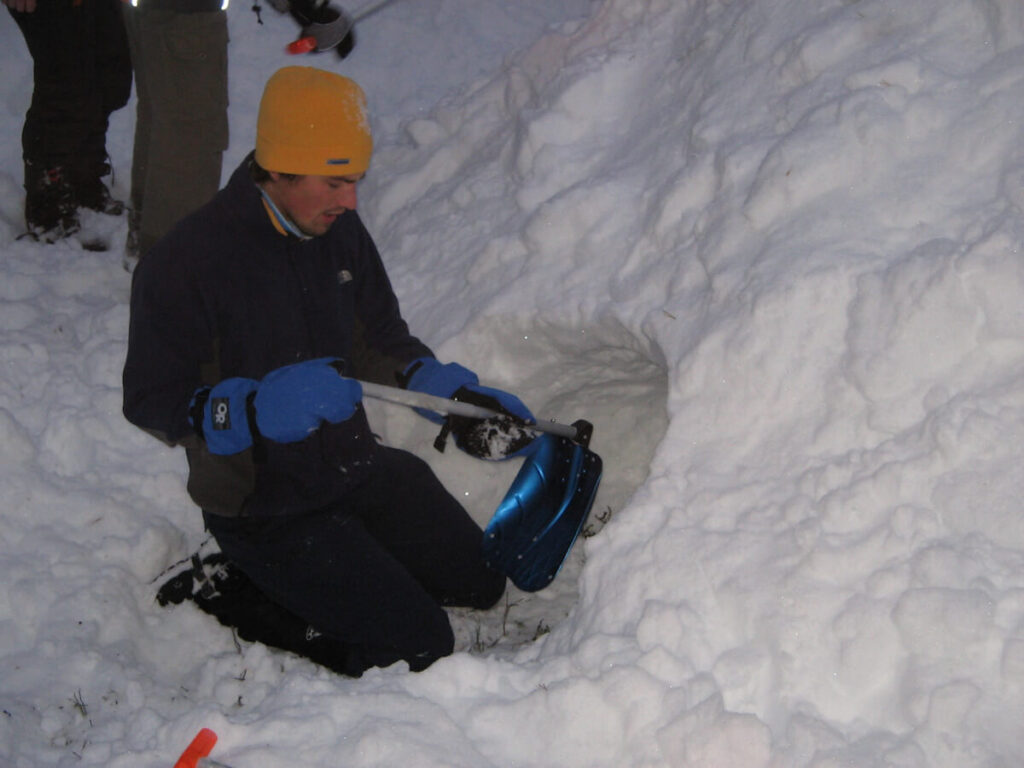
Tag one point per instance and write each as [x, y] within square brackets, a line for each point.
[313, 203]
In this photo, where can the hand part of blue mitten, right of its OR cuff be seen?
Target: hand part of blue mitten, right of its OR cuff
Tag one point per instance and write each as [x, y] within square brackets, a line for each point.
[293, 402]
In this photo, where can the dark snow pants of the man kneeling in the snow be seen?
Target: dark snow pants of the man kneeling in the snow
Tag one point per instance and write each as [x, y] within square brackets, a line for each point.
[373, 571]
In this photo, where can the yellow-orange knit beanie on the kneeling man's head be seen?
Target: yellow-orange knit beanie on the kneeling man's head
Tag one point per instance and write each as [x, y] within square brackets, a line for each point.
[313, 122]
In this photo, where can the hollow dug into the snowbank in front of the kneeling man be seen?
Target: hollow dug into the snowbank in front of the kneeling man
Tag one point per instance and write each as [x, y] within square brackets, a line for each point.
[604, 374]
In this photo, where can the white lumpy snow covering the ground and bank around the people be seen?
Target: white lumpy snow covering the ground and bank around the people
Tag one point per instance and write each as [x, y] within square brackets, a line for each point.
[771, 249]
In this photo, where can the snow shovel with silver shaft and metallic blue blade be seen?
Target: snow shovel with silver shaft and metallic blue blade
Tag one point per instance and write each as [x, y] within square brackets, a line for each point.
[541, 517]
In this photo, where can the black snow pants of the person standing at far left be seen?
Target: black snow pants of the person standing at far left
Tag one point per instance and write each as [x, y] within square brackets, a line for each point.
[82, 73]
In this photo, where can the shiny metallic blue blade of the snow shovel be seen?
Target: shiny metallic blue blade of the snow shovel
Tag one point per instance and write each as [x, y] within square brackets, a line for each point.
[543, 513]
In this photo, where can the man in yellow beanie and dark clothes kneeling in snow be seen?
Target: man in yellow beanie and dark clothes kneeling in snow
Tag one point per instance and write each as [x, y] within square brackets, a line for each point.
[242, 320]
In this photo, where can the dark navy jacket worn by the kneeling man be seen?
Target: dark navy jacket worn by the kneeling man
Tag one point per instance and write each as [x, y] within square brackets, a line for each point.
[227, 294]
